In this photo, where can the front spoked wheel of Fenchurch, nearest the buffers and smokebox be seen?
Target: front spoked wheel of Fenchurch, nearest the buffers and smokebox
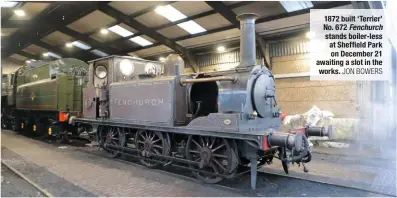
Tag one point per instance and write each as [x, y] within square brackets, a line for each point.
[213, 154]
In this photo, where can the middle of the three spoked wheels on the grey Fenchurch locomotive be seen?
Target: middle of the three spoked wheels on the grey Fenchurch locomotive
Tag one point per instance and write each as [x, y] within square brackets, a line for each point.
[151, 142]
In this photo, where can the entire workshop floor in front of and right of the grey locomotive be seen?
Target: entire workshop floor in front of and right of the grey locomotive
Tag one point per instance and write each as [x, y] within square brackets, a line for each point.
[81, 173]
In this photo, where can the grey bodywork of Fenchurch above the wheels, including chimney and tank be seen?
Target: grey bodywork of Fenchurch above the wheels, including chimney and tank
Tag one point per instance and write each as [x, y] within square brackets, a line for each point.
[245, 107]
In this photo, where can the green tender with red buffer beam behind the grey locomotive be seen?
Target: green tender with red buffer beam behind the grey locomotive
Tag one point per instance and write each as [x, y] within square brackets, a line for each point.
[44, 96]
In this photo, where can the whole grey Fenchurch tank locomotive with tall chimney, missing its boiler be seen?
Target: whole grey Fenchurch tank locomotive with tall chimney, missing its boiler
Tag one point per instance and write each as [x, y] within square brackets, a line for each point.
[211, 123]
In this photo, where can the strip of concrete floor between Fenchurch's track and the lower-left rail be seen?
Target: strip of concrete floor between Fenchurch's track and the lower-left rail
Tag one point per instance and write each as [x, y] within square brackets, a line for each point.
[86, 173]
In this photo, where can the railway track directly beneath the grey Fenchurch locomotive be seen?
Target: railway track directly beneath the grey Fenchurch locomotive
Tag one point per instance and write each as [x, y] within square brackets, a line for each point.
[267, 183]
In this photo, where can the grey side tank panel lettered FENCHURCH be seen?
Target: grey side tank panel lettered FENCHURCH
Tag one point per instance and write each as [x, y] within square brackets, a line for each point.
[142, 101]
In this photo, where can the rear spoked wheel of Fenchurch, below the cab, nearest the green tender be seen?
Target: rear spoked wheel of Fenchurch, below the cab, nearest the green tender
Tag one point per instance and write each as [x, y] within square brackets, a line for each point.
[111, 136]
